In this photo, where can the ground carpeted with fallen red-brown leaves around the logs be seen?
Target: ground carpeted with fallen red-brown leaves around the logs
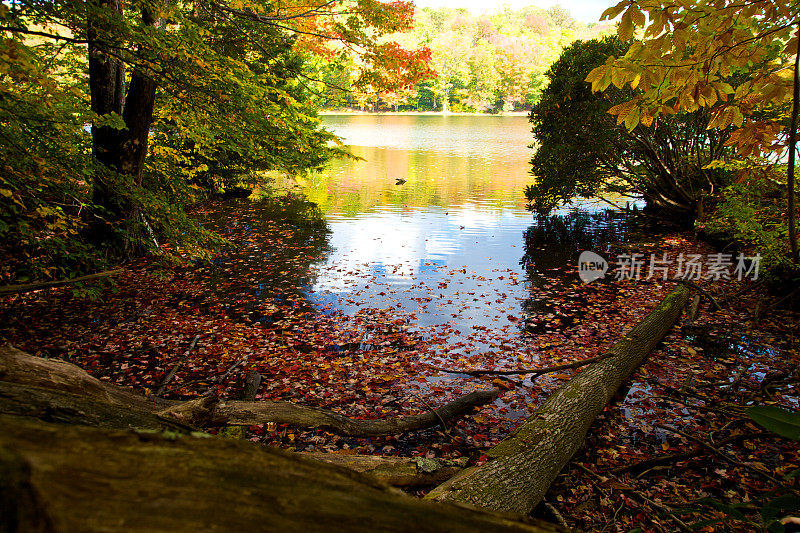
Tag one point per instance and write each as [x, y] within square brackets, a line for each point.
[673, 449]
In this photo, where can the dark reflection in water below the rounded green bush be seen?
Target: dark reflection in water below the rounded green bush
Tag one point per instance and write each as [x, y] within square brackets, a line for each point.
[556, 241]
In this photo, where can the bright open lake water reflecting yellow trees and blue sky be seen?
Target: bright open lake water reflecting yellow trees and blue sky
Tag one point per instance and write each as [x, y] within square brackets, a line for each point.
[453, 246]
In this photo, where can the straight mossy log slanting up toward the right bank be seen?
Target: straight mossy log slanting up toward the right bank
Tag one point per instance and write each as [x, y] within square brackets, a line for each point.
[522, 467]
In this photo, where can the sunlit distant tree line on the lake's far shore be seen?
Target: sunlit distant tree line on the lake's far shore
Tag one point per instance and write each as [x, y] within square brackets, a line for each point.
[487, 63]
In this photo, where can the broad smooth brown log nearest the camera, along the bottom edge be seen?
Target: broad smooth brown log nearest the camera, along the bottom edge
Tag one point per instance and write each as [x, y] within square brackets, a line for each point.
[56, 477]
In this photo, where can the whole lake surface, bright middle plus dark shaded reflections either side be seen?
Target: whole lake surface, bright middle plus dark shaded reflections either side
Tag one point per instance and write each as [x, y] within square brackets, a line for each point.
[429, 224]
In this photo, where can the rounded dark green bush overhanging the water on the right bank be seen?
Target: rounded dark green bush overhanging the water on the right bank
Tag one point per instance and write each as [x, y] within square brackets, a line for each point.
[583, 151]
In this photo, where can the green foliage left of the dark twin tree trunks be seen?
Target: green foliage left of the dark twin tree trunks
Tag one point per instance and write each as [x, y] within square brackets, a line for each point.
[43, 163]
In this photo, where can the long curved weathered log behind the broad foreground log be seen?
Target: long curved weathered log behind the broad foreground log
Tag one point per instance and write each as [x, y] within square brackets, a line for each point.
[51, 386]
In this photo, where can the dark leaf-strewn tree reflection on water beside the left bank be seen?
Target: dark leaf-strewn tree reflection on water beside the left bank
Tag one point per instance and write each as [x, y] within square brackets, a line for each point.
[275, 244]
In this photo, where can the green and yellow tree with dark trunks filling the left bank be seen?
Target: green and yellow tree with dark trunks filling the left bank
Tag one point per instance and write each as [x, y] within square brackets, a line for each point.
[221, 98]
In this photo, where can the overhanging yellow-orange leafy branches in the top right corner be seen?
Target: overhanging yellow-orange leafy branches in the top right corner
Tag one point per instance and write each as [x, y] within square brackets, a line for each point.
[685, 61]
